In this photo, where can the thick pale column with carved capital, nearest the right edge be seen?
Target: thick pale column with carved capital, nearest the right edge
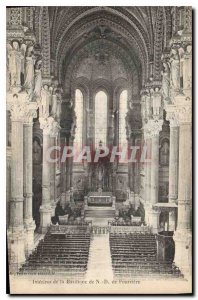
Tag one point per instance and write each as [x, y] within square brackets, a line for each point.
[183, 234]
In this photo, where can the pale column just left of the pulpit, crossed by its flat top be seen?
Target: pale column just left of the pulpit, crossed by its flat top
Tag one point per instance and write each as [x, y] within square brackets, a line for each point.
[155, 128]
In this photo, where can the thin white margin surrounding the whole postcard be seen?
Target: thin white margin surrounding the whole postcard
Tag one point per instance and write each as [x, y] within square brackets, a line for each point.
[3, 4]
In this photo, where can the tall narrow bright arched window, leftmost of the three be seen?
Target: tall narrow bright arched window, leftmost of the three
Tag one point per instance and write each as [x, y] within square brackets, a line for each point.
[79, 119]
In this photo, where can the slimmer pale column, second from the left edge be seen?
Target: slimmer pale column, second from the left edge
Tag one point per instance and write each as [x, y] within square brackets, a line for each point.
[29, 223]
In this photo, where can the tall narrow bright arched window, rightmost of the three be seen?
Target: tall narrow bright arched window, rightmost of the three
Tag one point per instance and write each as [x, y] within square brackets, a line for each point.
[122, 122]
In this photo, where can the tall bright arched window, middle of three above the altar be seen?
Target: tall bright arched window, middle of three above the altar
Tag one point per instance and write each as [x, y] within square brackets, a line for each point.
[100, 119]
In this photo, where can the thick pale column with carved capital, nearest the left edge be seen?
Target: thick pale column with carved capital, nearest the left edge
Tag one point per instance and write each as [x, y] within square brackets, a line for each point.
[16, 224]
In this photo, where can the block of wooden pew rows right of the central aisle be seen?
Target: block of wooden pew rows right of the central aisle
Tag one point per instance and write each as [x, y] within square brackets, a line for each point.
[135, 255]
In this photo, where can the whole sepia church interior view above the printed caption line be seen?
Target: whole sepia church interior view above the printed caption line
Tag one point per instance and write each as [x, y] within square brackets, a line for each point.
[100, 79]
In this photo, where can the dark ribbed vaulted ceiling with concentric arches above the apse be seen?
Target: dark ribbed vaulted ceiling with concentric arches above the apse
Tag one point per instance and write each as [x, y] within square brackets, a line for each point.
[134, 36]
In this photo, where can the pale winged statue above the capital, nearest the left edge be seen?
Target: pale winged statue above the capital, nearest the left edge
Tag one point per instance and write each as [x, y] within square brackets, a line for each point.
[15, 59]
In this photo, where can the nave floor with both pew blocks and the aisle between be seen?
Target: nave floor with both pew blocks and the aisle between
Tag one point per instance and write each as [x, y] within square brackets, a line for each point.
[99, 256]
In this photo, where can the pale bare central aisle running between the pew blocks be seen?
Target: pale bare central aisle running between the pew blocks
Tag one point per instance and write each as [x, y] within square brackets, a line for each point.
[99, 263]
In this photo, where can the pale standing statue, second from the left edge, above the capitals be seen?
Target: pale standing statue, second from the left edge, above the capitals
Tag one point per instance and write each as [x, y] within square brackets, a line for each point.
[29, 70]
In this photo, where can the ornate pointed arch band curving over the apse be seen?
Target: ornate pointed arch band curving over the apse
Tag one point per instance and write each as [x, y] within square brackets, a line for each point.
[131, 36]
